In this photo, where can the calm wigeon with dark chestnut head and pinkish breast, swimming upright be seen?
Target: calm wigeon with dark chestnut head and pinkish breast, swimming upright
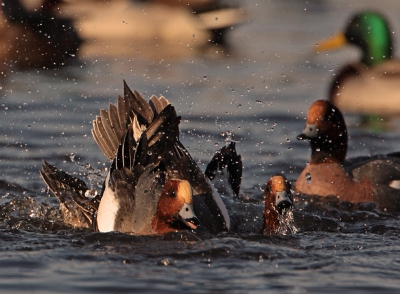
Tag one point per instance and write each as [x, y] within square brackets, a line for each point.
[361, 179]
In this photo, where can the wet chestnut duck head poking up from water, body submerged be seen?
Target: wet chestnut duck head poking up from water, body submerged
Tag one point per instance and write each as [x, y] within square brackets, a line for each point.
[278, 198]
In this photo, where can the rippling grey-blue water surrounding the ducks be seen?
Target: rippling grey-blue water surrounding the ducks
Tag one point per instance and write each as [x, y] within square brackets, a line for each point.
[261, 94]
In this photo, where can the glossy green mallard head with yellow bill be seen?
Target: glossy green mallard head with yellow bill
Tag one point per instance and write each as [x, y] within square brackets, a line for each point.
[370, 32]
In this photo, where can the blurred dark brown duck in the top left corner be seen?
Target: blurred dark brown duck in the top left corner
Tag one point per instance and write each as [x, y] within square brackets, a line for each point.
[37, 38]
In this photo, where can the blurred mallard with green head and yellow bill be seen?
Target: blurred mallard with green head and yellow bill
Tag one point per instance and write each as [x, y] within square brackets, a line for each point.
[371, 85]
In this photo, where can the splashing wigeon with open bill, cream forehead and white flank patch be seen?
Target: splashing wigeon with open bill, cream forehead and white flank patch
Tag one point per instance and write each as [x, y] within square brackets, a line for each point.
[138, 196]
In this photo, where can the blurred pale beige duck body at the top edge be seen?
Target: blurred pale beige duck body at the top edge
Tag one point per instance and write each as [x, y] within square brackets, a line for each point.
[152, 28]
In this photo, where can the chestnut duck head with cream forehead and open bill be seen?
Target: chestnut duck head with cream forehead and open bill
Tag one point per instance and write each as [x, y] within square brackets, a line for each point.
[175, 208]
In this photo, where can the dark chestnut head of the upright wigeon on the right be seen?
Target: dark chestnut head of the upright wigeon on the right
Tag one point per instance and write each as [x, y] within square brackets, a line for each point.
[327, 133]
